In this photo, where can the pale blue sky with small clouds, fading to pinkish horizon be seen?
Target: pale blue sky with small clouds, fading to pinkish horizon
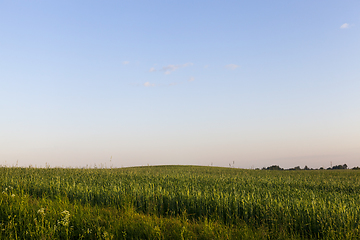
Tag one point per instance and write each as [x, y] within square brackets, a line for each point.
[134, 83]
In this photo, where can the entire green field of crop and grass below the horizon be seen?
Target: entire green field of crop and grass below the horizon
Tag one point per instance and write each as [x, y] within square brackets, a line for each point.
[178, 202]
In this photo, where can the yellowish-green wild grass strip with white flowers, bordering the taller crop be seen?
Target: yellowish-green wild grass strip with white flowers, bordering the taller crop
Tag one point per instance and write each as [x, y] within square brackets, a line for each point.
[29, 218]
